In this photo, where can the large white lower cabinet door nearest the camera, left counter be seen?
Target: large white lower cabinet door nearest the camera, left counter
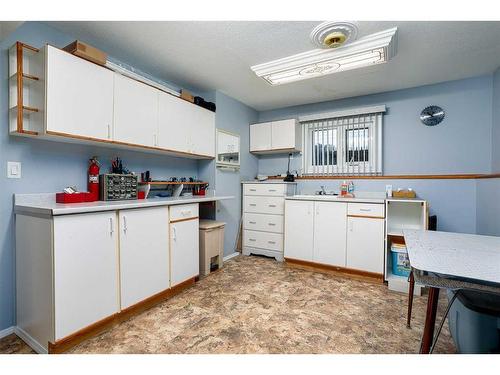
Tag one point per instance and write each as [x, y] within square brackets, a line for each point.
[85, 270]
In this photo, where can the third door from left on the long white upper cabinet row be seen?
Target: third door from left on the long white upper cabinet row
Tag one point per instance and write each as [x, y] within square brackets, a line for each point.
[174, 123]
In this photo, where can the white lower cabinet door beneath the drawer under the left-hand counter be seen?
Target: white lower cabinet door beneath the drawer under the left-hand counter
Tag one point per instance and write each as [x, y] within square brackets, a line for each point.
[185, 251]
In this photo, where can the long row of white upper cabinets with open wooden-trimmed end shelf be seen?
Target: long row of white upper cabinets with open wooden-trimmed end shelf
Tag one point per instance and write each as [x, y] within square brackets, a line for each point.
[74, 100]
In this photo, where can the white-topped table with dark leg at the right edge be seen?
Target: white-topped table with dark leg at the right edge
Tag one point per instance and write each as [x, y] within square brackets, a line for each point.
[451, 261]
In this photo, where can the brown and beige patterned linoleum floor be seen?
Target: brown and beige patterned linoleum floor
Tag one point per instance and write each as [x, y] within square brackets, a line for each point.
[256, 305]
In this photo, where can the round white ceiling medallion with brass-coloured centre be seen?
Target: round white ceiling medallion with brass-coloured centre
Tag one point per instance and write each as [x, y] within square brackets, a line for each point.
[331, 34]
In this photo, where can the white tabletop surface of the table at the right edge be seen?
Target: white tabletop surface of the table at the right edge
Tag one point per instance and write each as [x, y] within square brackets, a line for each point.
[468, 256]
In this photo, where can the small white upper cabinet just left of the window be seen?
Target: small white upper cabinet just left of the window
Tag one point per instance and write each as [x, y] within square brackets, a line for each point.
[275, 137]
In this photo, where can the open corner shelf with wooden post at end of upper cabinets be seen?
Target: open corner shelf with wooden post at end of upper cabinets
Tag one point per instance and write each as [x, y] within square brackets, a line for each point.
[26, 90]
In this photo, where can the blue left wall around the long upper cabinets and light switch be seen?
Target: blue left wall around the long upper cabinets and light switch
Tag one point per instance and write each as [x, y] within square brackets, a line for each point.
[50, 166]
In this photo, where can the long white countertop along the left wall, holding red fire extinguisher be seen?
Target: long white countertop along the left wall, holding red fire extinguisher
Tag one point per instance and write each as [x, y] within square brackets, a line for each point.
[45, 204]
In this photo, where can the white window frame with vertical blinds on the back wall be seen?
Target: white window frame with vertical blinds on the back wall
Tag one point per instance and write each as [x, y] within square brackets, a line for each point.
[344, 121]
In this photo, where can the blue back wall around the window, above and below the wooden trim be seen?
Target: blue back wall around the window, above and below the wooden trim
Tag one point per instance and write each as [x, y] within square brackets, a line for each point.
[461, 144]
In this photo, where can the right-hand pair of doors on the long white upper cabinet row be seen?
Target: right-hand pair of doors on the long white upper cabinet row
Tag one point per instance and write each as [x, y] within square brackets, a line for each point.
[185, 127]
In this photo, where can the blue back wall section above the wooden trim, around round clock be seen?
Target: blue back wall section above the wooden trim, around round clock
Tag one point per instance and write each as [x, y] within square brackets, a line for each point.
[460, 144]
